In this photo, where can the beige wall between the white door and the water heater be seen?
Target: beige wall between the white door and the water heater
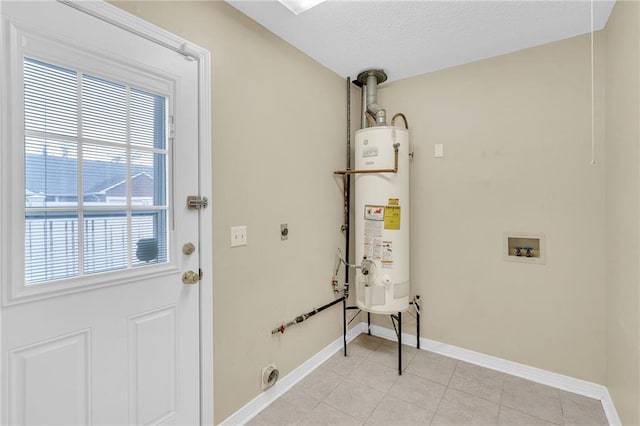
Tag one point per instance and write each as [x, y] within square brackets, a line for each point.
[278, 133]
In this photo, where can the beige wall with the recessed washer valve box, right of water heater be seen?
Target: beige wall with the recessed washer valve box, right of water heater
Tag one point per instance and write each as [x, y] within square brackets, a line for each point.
[516, 131]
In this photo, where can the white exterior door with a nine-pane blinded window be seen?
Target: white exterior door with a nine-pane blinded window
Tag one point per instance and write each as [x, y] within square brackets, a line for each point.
[98, 153]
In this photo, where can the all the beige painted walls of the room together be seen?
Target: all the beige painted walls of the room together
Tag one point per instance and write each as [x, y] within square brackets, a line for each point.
[517, 137]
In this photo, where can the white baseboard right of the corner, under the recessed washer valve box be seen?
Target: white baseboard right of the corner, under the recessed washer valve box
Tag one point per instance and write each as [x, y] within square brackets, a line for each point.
[559, 381]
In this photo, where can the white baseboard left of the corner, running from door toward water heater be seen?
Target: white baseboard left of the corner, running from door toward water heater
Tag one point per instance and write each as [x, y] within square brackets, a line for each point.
[260, 402]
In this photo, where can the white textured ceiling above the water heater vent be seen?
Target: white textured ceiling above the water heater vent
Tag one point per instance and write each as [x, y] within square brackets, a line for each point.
[407, 38]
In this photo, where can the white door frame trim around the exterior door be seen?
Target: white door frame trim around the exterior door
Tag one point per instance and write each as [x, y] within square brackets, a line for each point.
[133, 24]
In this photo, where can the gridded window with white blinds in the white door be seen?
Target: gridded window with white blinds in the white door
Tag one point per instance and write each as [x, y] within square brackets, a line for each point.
[96, 171]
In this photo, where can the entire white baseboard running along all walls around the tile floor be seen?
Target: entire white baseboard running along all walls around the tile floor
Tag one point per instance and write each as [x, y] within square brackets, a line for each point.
[559, 381]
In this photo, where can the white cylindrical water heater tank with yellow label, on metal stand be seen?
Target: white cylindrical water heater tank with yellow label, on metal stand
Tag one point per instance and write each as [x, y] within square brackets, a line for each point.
[382, 220]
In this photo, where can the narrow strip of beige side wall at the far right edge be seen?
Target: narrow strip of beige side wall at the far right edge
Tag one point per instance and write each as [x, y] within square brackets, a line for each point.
[623, 209]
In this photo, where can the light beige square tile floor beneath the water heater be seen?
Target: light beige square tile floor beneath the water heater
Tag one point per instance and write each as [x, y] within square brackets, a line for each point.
[365, 389]
